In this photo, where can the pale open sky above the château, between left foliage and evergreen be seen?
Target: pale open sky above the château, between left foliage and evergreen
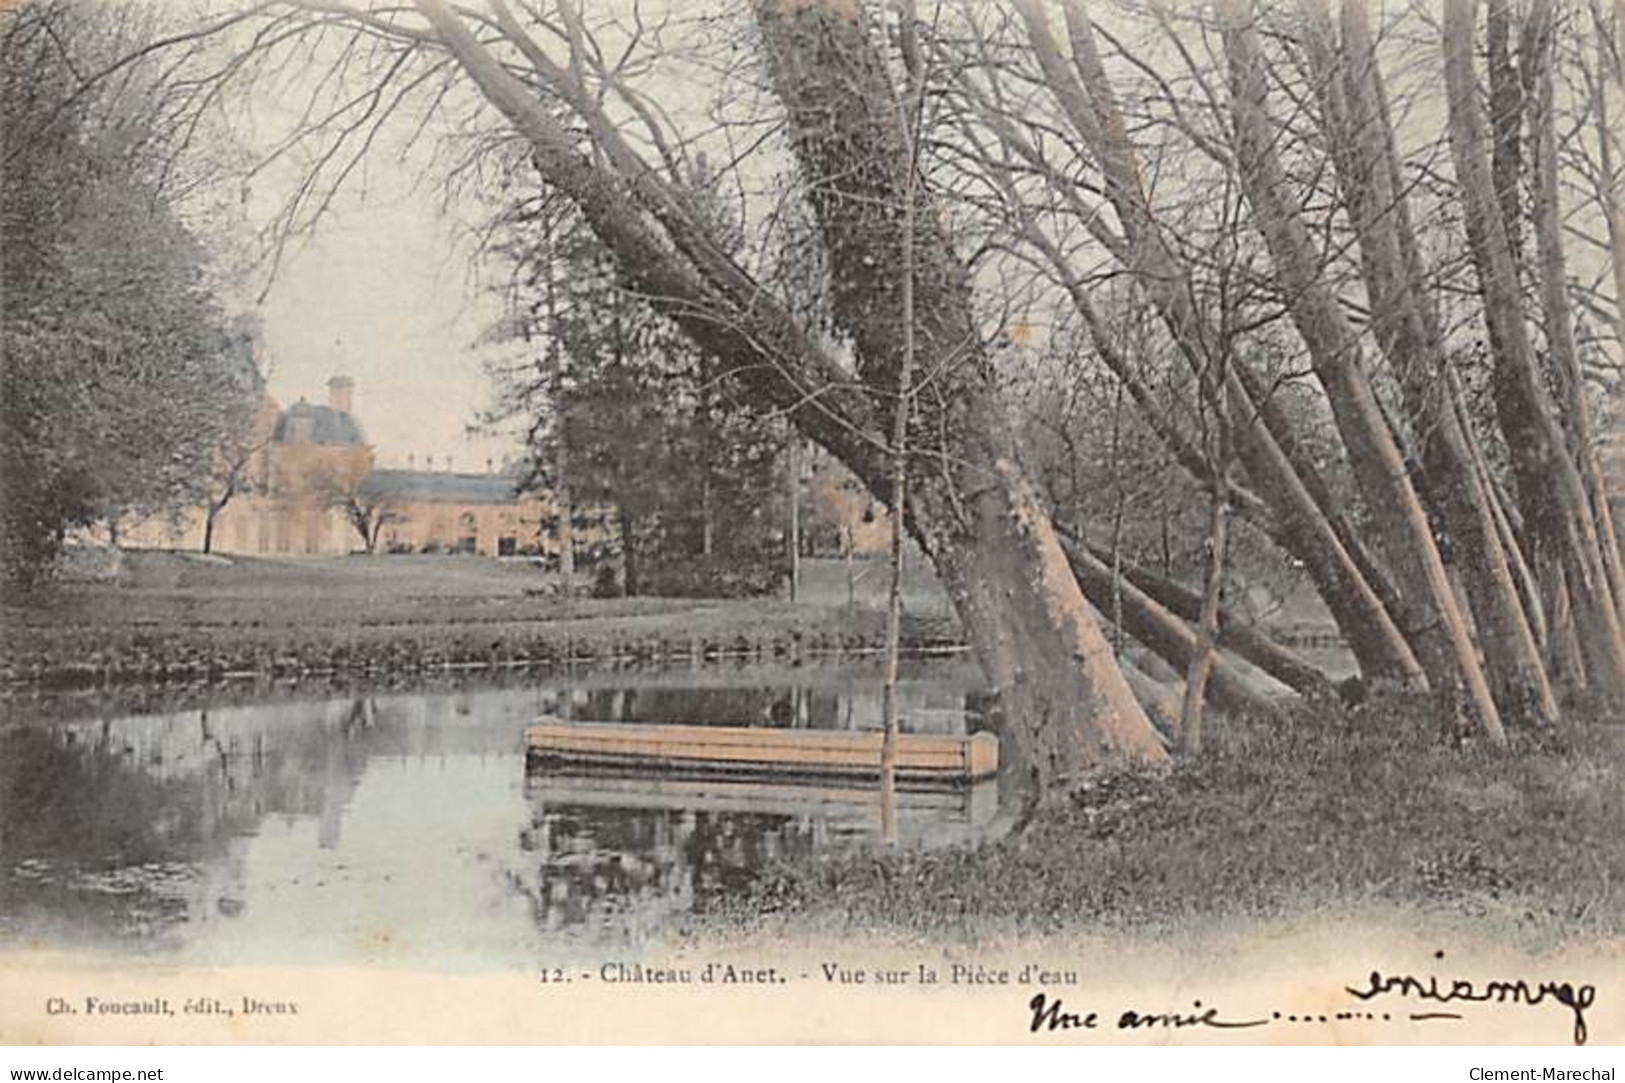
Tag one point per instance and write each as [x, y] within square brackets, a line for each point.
[383, 292]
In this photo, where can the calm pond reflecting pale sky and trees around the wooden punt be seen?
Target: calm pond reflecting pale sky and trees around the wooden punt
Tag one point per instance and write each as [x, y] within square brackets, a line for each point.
[401, 824]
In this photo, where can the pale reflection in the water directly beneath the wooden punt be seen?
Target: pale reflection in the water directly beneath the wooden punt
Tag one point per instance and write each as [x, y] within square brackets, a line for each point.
[971, 806]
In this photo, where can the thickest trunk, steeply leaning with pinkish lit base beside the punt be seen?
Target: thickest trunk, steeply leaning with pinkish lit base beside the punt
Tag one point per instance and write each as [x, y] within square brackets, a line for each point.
[971, 503]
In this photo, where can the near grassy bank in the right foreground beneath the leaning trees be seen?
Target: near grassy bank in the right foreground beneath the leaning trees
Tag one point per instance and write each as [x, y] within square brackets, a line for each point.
[1361, 812]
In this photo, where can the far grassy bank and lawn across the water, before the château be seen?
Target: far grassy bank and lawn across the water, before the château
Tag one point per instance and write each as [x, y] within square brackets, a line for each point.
[184, 619]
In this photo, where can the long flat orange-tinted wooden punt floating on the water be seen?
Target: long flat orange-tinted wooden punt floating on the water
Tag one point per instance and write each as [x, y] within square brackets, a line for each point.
[761, 754]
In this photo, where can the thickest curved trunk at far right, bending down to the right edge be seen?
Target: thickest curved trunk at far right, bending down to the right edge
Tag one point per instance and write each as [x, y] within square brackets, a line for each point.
[1551, 490]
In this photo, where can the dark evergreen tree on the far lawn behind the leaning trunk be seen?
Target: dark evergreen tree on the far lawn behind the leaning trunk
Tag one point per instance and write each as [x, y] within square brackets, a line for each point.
[641, 427]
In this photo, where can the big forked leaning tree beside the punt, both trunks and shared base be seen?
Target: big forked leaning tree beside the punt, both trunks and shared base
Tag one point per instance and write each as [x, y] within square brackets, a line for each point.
[973, 510]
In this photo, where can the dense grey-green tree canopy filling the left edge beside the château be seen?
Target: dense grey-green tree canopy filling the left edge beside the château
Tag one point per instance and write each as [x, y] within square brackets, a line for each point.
[123, 375]
